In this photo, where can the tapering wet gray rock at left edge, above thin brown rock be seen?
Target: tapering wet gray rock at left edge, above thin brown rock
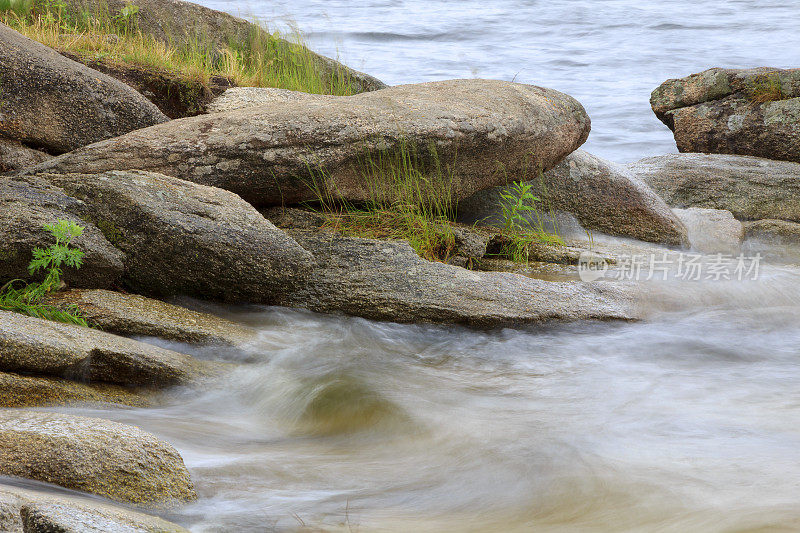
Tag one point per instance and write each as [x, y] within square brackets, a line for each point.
[32, 345]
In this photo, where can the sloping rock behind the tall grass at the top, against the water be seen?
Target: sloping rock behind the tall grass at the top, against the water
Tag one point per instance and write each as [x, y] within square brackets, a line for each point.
[187, 24]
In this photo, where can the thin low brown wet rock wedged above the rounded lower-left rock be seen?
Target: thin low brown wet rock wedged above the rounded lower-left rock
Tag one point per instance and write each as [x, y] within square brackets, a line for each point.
[30, 391]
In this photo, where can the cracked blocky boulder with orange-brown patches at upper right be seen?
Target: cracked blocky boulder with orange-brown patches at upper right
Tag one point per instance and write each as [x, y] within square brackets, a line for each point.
[734, 111]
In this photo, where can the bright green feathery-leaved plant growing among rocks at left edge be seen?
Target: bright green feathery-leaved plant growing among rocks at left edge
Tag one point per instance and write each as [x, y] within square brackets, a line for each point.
[27, 299]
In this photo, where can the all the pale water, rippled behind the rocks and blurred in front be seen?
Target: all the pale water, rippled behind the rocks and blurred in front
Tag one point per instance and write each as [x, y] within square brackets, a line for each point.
[687, 421]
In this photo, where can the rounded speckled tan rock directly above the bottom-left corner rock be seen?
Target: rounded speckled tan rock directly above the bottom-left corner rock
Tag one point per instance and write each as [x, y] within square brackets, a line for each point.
[117, 461]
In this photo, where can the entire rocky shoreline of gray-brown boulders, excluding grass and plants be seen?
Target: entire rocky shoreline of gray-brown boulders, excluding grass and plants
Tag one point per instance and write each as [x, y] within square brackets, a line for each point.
[216, 206]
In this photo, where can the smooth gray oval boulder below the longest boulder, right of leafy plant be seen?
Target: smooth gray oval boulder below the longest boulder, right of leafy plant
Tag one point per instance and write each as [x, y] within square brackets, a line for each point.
[183, 238]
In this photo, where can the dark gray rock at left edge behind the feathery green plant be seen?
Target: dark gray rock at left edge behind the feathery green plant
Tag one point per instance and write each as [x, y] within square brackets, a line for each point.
[25, 207]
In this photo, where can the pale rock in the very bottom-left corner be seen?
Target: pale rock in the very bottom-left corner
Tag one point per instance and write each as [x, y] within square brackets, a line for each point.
[31, 511]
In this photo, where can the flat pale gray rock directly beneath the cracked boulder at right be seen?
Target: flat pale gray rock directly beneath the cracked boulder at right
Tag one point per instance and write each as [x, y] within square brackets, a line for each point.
[749, 187]
